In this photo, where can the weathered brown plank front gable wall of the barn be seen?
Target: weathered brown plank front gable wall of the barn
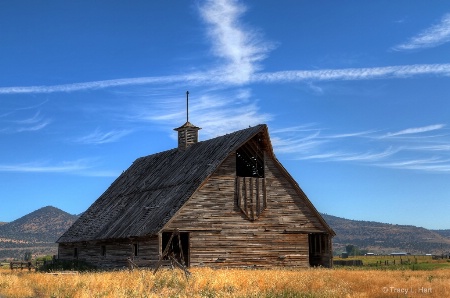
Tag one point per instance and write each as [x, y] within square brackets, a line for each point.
[222, 235]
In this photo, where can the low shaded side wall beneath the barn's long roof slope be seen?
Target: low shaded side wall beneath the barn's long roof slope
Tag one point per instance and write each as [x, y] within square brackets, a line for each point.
[117, 252]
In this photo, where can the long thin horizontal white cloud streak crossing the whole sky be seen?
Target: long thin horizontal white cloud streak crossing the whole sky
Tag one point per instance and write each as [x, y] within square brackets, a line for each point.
[219, 78]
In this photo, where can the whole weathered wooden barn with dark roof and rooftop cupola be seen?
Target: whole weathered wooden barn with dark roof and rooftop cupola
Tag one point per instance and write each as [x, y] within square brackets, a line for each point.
[229, 200]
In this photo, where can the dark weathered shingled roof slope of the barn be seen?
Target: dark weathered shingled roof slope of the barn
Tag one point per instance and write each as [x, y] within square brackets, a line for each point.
[146, 196]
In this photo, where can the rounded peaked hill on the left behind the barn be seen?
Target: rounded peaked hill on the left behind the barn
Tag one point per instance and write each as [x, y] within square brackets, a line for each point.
[35, 232]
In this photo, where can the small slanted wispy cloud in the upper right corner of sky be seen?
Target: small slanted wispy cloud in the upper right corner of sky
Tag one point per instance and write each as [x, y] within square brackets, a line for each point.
[433, 36]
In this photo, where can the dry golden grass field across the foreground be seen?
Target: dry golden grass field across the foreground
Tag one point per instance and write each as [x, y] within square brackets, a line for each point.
[205, 282]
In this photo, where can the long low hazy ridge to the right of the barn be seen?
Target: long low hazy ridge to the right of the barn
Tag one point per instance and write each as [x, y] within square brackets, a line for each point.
[386, 238]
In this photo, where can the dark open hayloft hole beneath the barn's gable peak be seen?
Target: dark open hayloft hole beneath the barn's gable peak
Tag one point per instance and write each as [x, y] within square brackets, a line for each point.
[250, 159]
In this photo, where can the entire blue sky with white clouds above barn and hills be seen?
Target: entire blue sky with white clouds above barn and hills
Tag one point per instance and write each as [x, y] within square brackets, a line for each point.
[355, 94]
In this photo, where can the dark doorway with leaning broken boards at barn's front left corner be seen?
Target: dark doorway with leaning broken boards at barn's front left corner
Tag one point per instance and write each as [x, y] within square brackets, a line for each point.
[178, 246]
